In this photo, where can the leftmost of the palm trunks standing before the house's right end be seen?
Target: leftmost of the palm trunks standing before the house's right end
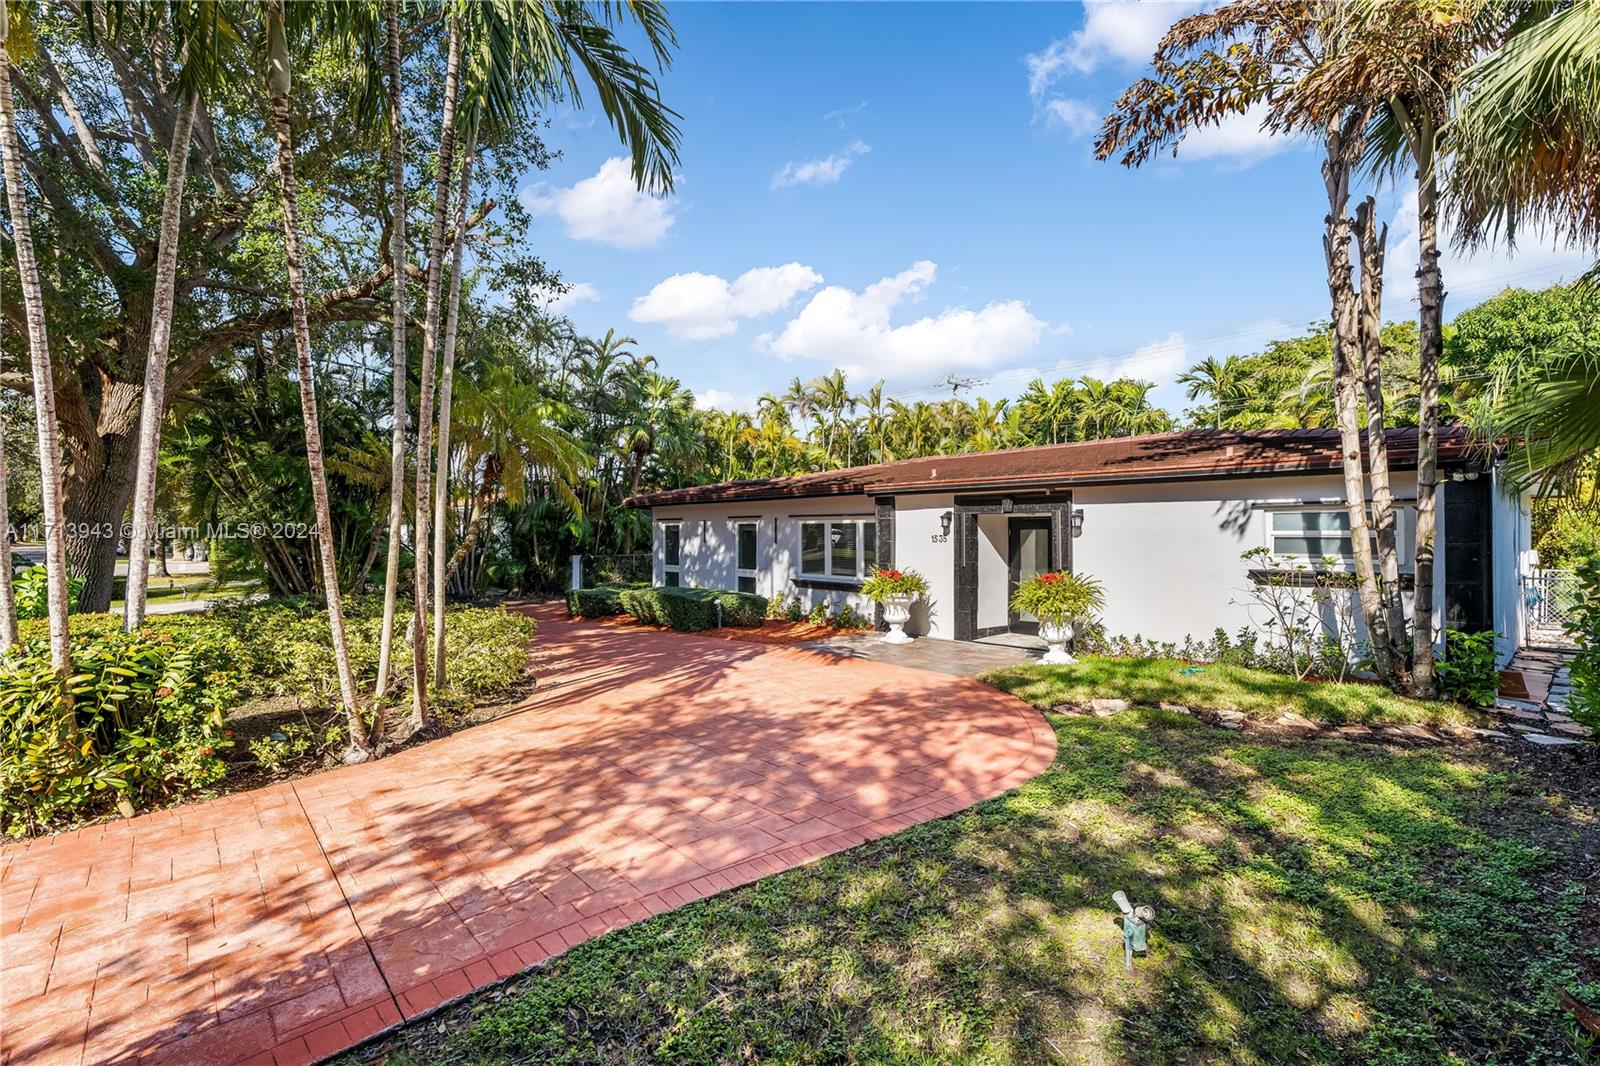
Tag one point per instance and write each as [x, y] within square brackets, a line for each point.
[1345, 150]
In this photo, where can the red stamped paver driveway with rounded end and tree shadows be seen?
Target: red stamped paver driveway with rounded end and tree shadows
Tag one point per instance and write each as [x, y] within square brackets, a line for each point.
[649, 771]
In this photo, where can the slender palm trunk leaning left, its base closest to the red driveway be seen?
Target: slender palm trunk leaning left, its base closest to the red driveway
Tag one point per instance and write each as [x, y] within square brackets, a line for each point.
[279, 94]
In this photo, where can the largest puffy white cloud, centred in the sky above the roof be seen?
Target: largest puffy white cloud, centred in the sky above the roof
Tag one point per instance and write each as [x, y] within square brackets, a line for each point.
[854, 331]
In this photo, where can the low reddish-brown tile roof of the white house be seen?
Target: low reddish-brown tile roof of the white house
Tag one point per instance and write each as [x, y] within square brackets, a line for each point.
[1193, 454]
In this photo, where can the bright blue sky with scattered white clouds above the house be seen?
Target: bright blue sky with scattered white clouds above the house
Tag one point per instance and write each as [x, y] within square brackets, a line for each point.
[910, 193]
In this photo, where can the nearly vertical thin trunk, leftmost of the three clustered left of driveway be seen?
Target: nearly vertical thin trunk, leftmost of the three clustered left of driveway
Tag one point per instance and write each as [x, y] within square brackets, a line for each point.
[396, 348]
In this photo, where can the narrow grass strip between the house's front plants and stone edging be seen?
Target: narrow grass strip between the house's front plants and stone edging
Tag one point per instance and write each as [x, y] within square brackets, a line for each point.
[1222, 687]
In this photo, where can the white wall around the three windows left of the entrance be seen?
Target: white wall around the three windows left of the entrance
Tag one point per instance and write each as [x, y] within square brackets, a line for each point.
[710, 545]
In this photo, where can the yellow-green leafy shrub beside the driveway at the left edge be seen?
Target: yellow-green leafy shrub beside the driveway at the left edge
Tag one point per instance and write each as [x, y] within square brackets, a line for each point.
[140, 723]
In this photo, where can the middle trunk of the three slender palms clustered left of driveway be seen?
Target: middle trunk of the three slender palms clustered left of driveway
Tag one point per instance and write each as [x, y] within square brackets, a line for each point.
[425, 425]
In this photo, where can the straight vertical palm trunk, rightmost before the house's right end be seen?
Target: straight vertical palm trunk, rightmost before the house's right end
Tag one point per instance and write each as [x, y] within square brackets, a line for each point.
[1431, 345]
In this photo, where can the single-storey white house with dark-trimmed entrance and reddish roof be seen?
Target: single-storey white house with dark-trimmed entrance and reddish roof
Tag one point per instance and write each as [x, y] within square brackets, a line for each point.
[1161, 521]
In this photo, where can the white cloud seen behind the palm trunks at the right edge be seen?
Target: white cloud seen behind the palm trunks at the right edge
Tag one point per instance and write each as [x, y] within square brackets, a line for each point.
[1473, 278]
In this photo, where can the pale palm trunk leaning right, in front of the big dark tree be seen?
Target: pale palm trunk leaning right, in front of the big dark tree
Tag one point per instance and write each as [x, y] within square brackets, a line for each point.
[154, 401]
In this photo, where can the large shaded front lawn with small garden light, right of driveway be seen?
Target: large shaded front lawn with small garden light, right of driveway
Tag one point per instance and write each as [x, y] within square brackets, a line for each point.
[1316, 904]
